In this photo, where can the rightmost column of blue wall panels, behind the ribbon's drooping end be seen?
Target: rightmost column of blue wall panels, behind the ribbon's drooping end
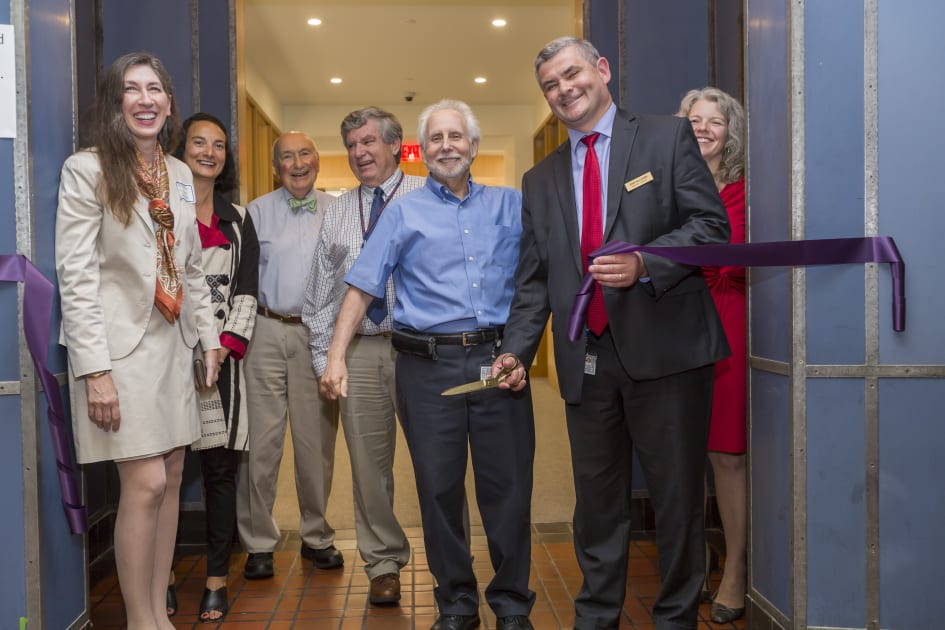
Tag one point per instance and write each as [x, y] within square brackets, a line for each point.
[912, 436]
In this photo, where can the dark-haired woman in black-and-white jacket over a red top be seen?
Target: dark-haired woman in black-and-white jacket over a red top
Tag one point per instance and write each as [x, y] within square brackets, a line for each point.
[231, 263]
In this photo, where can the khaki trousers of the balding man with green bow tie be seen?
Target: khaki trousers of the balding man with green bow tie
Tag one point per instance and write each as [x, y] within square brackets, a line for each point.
[280, 387]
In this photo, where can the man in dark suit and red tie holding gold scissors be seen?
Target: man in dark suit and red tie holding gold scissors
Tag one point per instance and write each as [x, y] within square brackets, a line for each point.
[641, 376]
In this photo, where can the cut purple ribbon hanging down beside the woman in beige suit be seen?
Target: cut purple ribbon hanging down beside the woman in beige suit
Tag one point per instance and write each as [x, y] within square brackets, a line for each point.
[37, 313]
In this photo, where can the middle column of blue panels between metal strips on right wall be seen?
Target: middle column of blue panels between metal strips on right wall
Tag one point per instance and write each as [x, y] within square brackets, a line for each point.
[834, 207]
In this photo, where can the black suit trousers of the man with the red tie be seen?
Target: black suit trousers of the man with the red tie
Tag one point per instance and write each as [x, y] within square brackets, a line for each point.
[666, 421]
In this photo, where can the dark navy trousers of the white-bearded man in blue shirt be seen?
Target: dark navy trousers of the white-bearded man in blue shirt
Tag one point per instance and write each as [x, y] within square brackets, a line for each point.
[499, 429]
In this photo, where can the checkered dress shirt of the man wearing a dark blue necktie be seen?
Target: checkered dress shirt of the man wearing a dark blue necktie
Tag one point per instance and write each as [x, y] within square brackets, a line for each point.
[339, 244]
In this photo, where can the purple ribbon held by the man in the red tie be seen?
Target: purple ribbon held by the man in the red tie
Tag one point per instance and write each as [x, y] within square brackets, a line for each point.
[828, 251]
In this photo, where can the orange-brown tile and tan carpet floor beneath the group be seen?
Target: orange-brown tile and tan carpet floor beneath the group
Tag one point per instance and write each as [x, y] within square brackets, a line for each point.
[303, 598]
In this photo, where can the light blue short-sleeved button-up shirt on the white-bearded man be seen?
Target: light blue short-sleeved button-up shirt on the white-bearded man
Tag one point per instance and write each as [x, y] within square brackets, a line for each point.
[453, 260]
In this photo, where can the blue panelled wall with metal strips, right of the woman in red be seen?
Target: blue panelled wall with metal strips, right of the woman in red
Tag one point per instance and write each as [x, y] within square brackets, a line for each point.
[911, 436]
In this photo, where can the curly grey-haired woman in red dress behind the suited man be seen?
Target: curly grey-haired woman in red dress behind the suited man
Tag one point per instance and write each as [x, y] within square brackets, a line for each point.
[718, 121]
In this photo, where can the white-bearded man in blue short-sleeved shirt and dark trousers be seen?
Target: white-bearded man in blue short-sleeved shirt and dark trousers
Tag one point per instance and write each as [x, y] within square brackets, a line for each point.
[452, 248]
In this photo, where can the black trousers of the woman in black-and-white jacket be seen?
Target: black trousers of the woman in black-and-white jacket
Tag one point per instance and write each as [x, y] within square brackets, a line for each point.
[219, 466]
